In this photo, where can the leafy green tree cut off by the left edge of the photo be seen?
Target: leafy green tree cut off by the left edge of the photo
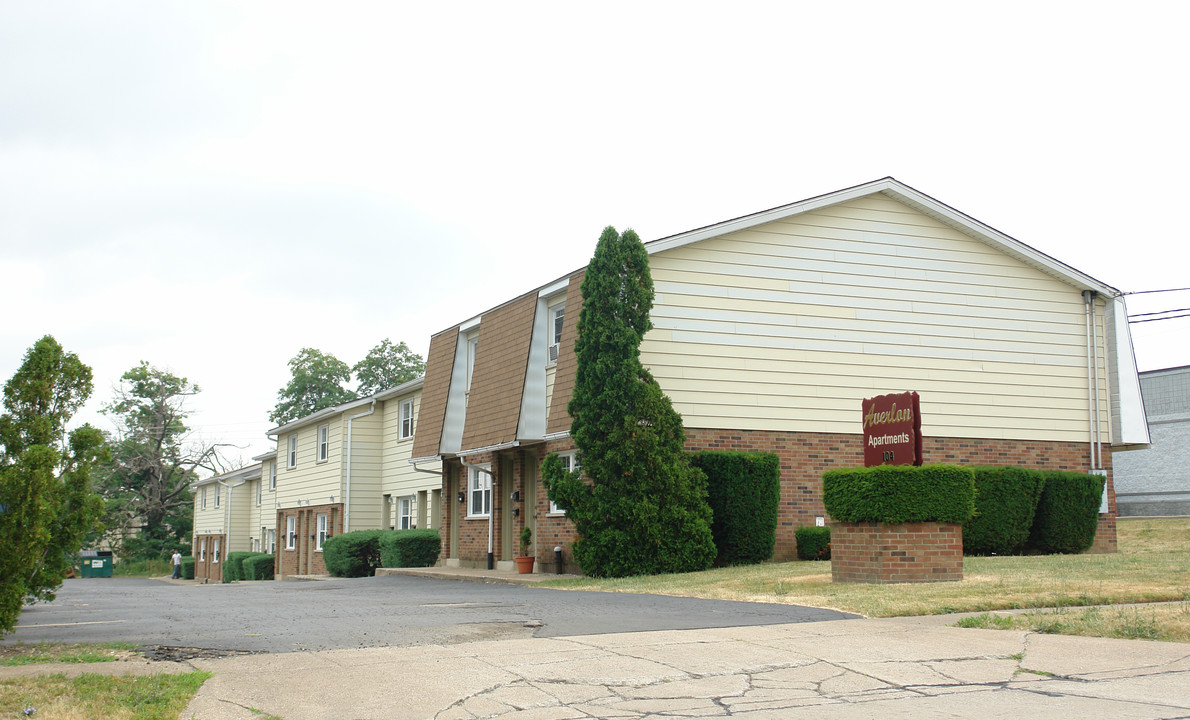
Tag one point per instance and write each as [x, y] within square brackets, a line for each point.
[47, 506]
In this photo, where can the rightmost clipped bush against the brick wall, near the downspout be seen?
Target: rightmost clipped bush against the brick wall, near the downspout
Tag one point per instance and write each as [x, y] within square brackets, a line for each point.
[1068, 514]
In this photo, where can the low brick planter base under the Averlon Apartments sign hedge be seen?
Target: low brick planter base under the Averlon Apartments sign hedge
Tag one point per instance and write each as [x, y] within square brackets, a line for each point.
[875, 553]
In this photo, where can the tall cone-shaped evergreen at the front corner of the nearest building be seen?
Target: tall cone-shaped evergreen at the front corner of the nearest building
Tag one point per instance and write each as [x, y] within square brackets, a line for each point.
[646, 509]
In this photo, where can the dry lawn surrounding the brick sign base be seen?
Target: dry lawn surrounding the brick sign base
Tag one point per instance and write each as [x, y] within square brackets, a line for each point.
[1154, 565]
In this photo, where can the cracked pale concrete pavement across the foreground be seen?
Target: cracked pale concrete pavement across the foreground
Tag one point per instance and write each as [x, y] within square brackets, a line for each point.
[919, 668]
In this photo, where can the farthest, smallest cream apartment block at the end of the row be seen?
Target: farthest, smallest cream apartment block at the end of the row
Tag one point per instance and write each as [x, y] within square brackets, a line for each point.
[223, 519]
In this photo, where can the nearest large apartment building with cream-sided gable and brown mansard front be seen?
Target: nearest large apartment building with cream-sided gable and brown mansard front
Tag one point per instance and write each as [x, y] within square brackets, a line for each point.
[768, 333]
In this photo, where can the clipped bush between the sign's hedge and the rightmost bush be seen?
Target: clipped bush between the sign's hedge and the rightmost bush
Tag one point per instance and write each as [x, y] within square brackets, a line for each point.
[1006, 500]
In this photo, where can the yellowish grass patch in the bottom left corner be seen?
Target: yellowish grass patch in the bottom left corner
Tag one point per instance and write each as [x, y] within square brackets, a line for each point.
[101, 698]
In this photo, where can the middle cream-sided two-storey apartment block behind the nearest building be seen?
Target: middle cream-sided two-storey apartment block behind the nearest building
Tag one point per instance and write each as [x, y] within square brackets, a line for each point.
[347, 468]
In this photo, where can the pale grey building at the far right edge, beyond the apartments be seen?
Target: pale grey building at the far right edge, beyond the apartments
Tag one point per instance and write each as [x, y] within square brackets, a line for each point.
[1157, 481]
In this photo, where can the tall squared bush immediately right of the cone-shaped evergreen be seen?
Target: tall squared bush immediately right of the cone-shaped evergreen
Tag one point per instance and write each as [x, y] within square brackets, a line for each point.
[744, 491]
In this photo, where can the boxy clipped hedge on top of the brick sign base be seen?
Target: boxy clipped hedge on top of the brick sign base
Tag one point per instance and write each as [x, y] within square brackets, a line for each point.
[898, 494]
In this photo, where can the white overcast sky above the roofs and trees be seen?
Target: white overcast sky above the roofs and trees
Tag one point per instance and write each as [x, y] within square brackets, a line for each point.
[211, 187]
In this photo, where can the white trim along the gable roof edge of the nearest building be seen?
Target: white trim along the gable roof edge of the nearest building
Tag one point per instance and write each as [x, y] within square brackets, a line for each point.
[911, 198]
